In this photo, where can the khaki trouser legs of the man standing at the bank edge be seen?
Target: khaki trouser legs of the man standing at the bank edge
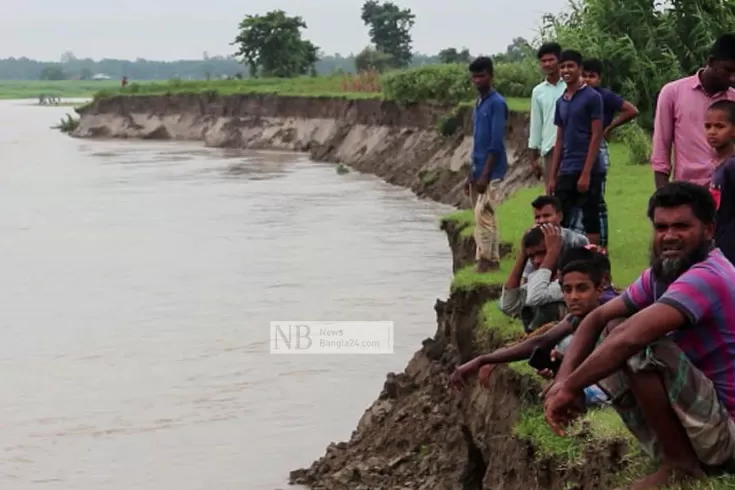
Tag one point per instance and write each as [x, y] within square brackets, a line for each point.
[486, 230]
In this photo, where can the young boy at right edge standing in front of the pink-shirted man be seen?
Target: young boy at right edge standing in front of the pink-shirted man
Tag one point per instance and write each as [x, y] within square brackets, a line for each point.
[719, 126]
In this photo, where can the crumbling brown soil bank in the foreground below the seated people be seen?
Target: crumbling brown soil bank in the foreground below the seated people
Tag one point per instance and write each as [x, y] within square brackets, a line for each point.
[419, 435]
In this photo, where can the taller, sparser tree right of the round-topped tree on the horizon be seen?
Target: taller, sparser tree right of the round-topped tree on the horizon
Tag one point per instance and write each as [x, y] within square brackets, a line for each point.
[390, 30]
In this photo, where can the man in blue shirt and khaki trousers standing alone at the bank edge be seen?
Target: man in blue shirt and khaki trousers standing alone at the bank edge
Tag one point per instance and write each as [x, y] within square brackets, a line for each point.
[488, 164]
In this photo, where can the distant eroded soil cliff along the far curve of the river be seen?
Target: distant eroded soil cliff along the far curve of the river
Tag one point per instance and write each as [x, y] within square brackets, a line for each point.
[399, 143]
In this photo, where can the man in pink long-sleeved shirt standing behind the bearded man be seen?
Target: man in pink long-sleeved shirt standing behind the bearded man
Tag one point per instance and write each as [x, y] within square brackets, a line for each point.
[680, 112]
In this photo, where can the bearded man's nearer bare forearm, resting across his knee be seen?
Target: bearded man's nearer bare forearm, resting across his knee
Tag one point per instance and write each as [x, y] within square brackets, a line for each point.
[626, 340]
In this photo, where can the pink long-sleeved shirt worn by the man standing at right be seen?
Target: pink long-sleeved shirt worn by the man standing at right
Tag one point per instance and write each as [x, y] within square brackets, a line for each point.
[682, 105]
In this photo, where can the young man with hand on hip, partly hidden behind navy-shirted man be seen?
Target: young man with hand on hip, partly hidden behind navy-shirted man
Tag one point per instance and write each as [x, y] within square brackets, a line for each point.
[612, 104]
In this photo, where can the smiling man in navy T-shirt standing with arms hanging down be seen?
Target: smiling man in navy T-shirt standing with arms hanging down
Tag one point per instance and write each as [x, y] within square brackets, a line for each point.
[577, 173]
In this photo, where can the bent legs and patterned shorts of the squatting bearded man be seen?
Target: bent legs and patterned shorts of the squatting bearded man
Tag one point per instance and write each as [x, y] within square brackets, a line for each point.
[674, 412]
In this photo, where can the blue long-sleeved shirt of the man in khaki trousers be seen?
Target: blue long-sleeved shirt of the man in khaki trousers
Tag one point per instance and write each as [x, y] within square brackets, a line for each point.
[488, 120]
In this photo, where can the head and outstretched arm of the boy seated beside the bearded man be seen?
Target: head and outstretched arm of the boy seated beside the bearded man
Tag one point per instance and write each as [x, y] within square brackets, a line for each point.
[583, 285]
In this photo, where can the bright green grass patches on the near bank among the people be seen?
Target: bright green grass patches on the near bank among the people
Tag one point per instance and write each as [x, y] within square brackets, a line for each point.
[628, 190]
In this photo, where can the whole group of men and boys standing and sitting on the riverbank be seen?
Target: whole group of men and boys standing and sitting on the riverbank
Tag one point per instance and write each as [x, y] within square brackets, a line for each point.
[663, 351]
